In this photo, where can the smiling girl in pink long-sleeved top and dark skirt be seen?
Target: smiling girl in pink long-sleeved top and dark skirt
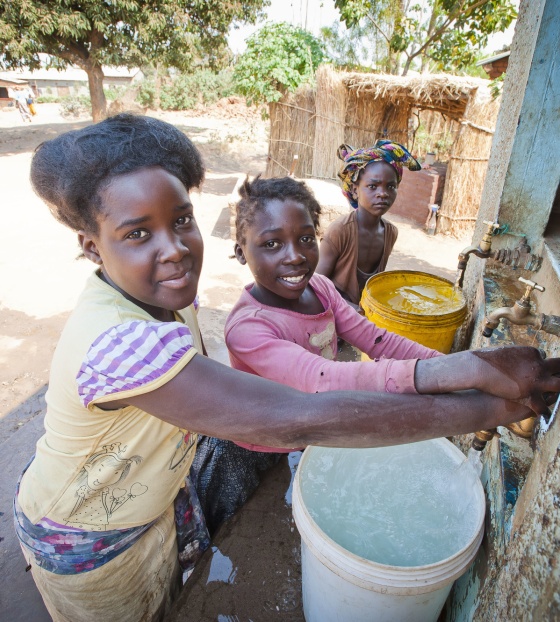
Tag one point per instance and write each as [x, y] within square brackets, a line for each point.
[285, 327]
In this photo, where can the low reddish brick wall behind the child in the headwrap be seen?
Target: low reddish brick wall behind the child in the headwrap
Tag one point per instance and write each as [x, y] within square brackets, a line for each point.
[417, 191]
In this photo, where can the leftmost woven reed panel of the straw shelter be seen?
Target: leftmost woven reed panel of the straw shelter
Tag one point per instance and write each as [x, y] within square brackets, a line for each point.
[292, 135]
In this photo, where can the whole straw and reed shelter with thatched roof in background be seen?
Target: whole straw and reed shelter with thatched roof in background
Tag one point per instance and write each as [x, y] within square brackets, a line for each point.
[457, 115]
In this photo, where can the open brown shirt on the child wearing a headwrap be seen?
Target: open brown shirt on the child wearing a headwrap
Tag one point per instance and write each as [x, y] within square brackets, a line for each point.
[342, 237]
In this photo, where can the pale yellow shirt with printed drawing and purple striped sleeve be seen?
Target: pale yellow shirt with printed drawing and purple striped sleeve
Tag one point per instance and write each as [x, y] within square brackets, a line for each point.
[97, 469]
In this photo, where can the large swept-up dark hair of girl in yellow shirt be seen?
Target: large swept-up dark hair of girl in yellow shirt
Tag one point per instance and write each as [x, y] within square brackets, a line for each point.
[68, 172]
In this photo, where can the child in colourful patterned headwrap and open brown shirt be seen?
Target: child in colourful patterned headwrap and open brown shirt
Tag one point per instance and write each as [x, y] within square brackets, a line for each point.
[357, 245]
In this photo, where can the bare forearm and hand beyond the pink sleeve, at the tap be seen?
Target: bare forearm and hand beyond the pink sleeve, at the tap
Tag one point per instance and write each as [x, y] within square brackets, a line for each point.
[516, 373]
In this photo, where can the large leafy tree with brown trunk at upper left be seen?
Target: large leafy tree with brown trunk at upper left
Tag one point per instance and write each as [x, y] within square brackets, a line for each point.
[93, 33]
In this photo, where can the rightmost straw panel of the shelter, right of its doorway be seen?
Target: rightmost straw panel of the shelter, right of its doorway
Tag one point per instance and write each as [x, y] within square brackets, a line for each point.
[467, 166]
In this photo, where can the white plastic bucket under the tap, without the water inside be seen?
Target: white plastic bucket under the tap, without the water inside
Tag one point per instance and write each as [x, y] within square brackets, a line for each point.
[340, 586]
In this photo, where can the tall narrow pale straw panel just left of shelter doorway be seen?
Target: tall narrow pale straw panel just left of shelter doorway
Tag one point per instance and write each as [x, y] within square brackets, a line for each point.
[329, 125]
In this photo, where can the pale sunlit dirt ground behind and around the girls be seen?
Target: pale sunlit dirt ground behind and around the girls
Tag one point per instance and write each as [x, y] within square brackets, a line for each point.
[40, 279]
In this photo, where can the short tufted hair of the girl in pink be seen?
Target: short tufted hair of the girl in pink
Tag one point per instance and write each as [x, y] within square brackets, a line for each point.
[255, 194]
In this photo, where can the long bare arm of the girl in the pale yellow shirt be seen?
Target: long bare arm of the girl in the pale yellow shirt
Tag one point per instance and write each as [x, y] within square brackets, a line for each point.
[213, 399]
